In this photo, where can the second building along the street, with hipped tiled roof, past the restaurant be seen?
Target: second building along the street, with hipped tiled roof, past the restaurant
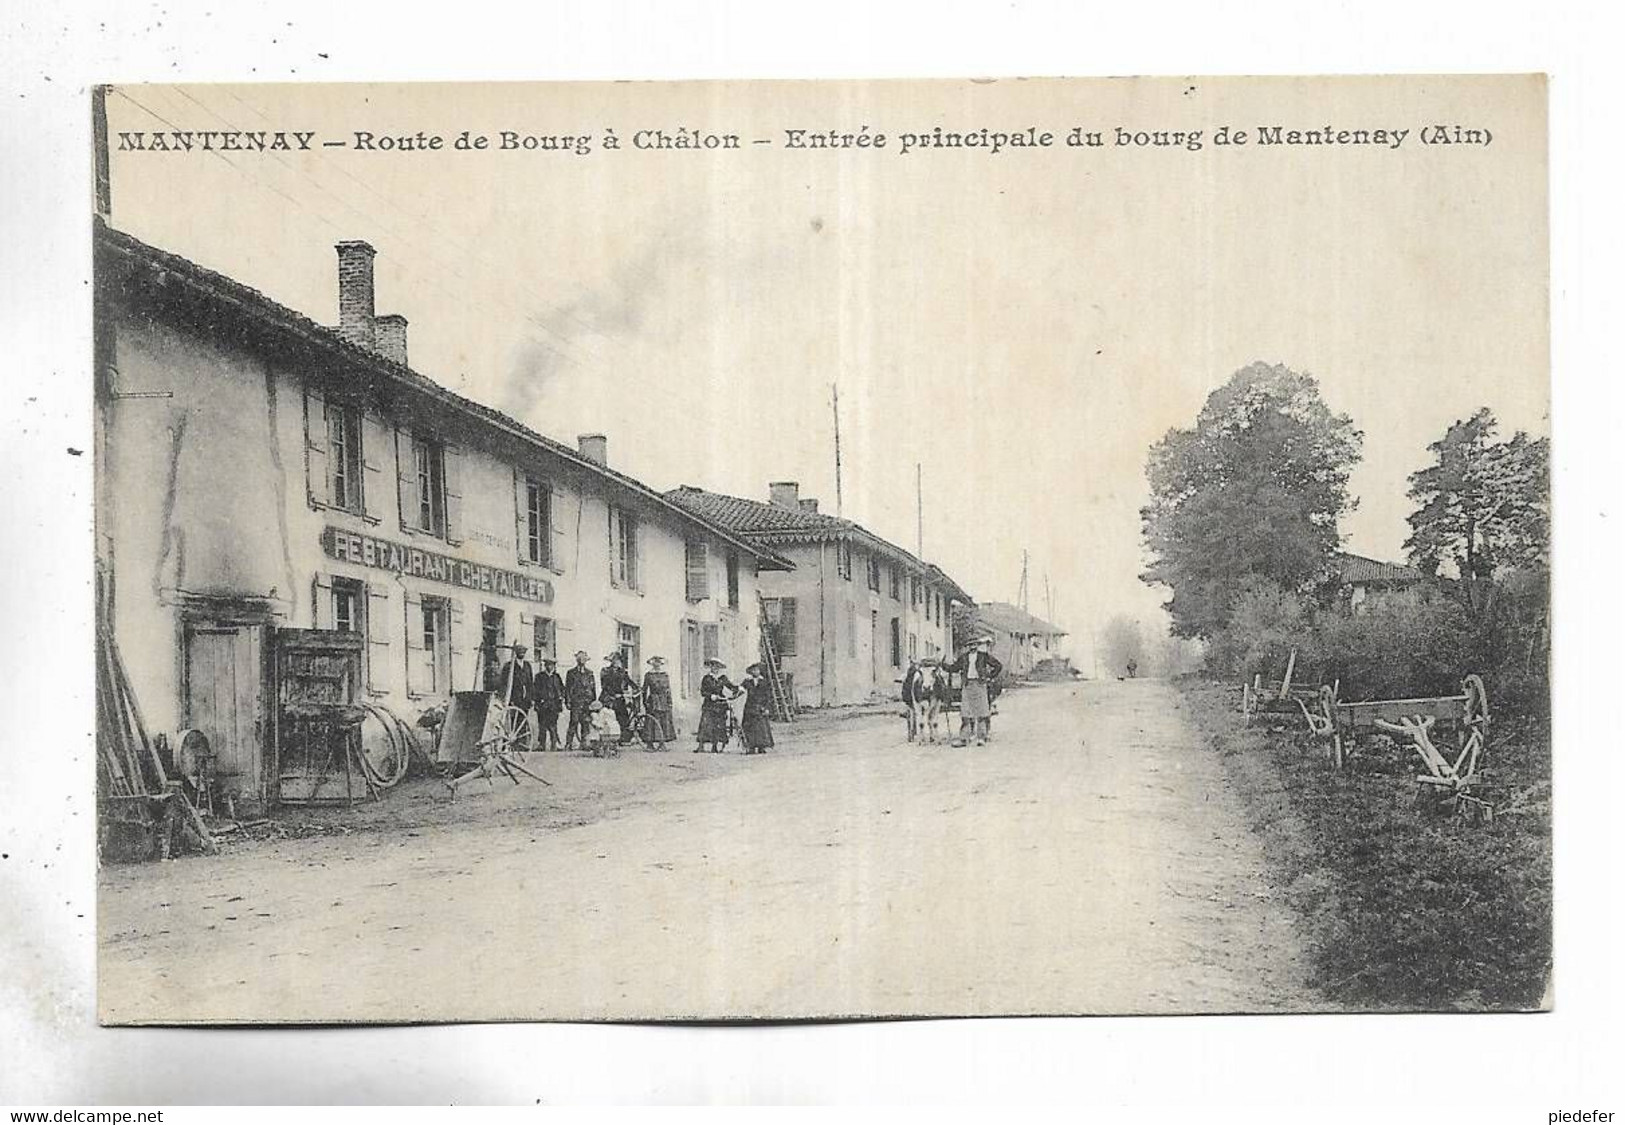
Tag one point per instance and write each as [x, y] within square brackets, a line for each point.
[854, 610]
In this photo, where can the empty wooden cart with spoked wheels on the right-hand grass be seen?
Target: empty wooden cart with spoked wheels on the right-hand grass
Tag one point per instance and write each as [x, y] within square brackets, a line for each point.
[1450, 778]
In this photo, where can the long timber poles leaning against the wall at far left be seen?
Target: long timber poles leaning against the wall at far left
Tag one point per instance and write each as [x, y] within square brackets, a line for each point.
[144, 814]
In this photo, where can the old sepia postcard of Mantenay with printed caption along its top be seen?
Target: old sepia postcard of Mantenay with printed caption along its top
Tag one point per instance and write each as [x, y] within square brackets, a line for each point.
[1111, 516]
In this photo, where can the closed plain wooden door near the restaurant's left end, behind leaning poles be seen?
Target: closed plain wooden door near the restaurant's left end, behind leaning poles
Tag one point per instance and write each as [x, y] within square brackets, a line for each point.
[225, 703]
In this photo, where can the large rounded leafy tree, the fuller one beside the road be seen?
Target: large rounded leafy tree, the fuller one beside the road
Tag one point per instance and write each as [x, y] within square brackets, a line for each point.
[1254, 490]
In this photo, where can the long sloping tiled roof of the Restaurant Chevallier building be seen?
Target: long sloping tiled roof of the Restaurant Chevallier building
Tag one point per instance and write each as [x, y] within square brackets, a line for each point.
[165, 269]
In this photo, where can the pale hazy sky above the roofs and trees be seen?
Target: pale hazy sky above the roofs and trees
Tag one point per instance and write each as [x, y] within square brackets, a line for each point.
[1021, 326]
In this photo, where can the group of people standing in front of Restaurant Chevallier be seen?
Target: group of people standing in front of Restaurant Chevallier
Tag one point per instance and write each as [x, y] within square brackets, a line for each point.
[639, 711]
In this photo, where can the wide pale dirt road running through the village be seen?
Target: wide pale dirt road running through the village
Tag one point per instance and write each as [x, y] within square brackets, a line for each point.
[1090, 861]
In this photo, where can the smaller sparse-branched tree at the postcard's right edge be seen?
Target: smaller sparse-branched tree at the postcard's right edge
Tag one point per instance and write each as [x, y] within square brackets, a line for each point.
[1483, 506]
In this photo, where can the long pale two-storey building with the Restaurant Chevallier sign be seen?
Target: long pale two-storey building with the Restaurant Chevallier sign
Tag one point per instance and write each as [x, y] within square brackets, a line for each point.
[259, 472]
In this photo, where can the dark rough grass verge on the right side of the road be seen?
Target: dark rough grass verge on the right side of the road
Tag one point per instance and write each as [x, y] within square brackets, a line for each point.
[1403, 910]
